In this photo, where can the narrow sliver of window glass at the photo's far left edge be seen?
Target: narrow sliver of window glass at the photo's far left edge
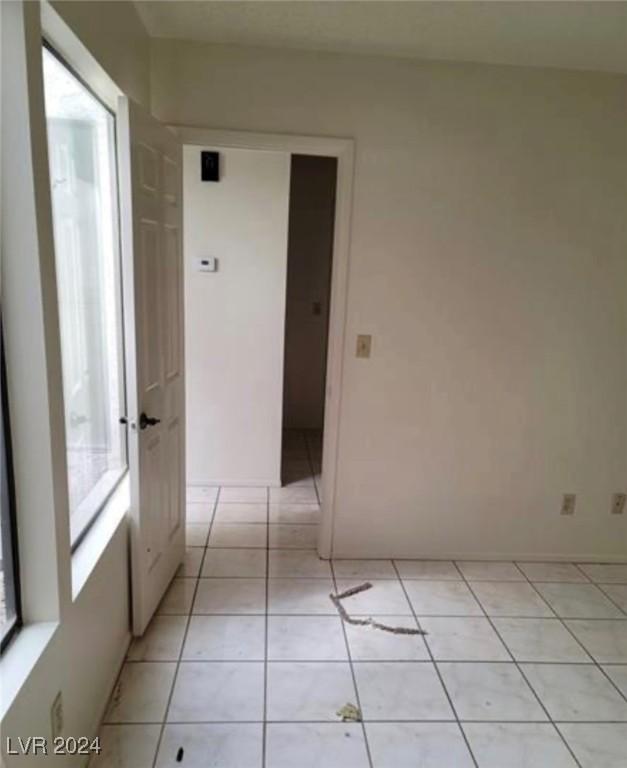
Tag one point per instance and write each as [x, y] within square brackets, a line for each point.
[9, 598]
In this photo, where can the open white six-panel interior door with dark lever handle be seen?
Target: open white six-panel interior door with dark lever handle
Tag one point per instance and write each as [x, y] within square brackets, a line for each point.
[150, 179]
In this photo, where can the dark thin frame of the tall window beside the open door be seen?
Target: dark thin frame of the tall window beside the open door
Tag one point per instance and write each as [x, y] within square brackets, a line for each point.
[101, 493]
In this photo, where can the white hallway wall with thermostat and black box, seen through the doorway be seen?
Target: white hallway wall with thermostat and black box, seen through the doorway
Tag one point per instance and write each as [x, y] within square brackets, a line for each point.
[234, 318]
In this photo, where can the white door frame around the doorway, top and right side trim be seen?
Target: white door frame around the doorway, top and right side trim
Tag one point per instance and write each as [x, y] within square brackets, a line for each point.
[344, 151]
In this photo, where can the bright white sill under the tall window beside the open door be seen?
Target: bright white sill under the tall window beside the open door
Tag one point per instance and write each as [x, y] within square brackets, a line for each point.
[90, 550]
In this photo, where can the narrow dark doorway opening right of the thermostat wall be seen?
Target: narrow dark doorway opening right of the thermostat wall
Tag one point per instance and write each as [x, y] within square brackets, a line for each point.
[313, 183]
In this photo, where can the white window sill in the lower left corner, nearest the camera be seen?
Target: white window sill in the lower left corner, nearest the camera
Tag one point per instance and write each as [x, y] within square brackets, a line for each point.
[20, 658]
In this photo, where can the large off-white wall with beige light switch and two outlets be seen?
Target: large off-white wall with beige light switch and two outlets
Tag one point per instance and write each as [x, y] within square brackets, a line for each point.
[488, 261]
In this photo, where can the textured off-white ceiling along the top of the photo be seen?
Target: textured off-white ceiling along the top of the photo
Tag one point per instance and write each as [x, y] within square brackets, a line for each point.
[572, 35]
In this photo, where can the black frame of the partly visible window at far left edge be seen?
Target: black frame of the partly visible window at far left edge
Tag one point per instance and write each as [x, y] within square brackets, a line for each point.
[9, 484]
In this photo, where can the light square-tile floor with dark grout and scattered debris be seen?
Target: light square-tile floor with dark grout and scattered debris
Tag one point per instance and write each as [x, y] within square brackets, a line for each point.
[524, 665]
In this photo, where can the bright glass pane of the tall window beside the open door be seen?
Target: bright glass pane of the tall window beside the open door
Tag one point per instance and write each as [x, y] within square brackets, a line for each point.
[81, 148]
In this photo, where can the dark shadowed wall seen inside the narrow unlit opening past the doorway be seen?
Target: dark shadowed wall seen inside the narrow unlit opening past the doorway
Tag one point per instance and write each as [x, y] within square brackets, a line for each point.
[310, 251]
